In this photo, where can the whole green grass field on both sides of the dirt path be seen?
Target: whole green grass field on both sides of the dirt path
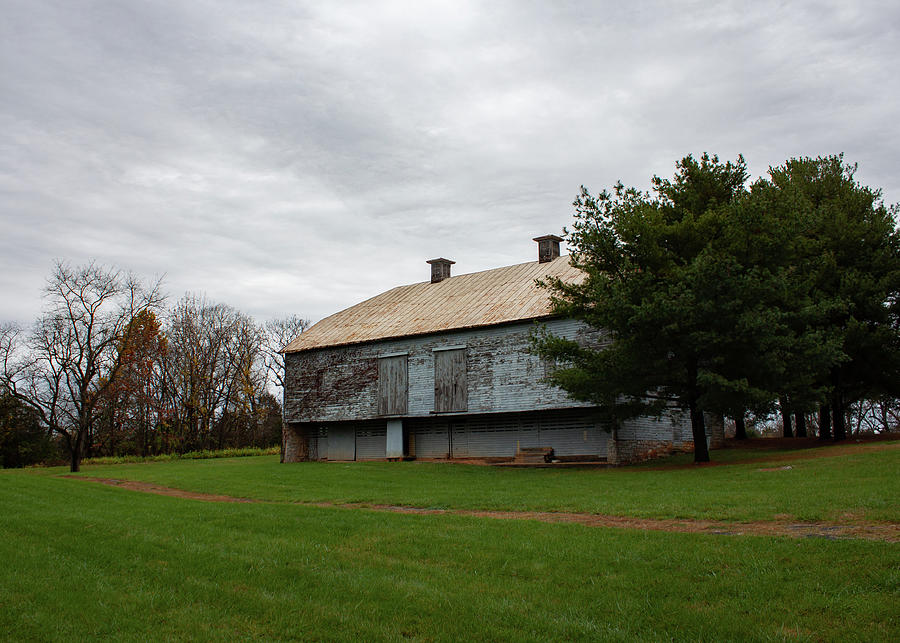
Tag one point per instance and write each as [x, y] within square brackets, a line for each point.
[88, 561]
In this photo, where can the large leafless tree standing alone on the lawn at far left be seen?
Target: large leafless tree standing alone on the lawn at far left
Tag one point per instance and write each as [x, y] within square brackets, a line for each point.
[72, 356]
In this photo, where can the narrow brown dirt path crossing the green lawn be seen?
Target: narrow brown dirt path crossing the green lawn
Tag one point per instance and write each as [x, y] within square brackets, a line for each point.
[886, 532]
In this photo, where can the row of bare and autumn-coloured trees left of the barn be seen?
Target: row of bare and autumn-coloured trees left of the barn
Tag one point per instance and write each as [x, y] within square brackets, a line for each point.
[110, 369]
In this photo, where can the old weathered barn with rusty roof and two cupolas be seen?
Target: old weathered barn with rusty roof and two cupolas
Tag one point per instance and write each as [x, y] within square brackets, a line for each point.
[442, 369]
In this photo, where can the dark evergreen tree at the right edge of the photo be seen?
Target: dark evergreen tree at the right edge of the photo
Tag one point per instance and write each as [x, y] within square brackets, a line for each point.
[843, 258]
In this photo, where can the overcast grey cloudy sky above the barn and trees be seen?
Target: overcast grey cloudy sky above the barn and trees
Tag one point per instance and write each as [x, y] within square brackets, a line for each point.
[300, 157]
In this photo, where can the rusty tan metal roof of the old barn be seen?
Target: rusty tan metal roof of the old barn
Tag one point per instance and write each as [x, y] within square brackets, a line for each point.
[485, 298]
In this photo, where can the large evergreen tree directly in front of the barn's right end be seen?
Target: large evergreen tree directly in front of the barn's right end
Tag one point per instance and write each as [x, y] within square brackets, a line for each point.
[685, 321]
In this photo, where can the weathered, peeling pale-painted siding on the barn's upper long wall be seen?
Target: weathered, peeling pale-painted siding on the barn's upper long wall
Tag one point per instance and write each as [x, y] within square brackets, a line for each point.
[341, 384]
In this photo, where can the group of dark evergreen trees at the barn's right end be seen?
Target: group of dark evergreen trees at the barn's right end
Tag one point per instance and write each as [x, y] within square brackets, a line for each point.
[719, 297]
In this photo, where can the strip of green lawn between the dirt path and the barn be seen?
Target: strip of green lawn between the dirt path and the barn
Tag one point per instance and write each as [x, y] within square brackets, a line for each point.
[867, 485]
